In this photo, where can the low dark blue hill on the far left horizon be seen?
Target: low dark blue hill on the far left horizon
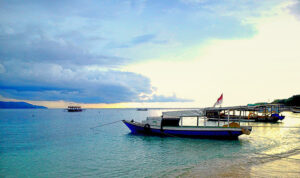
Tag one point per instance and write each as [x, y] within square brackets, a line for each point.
[19, 105]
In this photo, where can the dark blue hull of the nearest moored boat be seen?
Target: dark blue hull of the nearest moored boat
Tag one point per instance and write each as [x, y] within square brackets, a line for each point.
[191, 132]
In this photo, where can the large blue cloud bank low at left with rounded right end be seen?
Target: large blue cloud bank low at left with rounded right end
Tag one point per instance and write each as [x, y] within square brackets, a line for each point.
[36, 81]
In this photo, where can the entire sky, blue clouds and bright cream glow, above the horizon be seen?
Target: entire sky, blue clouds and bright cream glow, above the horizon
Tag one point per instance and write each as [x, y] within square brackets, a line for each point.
[141, 53]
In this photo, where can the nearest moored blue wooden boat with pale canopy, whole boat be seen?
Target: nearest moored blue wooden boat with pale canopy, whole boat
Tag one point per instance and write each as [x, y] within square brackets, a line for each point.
[170, 124]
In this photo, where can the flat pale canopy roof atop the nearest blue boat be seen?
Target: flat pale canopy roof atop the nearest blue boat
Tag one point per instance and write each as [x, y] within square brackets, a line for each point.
[184, 113]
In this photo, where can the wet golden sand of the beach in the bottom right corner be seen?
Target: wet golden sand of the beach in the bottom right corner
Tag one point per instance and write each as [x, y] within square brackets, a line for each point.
[277, 165]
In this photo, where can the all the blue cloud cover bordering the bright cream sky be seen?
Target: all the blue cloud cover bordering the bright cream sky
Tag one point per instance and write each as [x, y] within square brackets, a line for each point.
[75, 50]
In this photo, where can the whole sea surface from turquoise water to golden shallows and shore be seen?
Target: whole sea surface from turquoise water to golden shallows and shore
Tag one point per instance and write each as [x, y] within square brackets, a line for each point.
[55, 143]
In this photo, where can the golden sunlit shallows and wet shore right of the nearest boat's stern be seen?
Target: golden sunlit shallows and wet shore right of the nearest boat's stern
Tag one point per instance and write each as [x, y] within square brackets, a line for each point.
[274, 152]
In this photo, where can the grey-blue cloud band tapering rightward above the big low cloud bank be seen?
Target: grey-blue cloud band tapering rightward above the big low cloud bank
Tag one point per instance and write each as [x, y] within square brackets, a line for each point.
[35, 46]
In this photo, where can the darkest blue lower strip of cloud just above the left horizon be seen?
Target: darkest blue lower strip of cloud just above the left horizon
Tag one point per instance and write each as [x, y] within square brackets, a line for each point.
[101, 94]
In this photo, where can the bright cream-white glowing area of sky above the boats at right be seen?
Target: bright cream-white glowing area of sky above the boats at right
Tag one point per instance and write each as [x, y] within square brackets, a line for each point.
[261, 68]
